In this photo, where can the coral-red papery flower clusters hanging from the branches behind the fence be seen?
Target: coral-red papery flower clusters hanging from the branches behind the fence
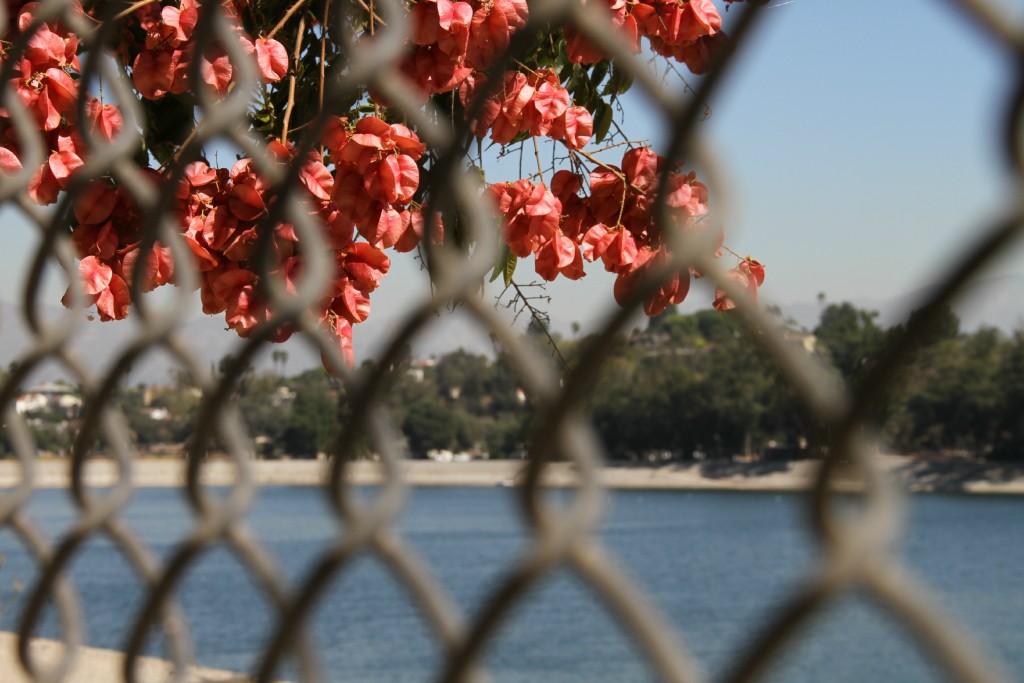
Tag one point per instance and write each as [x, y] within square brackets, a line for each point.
[362, 185]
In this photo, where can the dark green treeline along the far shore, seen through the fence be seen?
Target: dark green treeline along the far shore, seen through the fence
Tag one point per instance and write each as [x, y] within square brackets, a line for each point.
[689, 387]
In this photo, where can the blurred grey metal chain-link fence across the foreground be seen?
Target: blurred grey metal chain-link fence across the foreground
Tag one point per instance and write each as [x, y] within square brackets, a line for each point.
[857, 551]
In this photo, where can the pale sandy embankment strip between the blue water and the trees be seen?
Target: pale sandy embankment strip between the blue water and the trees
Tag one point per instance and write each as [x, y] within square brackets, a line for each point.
[955, 476]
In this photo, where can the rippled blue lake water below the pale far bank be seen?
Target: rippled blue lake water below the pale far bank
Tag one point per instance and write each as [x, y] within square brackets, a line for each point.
[716, 564]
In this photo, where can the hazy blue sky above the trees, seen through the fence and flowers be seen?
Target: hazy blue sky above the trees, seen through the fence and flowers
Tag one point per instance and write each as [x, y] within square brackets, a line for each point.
[862, 143]
